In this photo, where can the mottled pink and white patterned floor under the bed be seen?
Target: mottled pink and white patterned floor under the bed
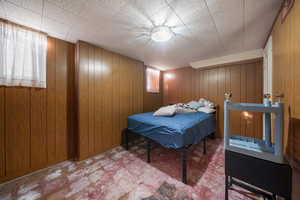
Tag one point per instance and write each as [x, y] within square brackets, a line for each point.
[122, 175]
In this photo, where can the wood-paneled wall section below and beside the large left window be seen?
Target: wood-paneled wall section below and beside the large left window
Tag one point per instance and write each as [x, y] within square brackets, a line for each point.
[36, 124]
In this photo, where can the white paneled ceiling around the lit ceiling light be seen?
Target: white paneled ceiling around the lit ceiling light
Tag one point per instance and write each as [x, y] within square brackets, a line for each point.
[203, 28]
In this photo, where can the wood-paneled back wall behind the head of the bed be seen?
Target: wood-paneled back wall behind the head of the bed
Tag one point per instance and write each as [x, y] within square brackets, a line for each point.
[243, 79]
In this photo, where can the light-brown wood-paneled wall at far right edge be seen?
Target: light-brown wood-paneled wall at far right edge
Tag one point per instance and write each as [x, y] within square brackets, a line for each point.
[286, 77]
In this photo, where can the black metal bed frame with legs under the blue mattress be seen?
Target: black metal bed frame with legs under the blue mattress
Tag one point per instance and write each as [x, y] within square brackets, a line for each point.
[183, 151]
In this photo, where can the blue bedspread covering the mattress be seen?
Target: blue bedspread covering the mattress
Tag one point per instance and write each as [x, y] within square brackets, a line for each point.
[173, 132]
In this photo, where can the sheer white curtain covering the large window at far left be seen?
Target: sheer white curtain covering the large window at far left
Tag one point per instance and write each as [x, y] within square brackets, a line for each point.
[22, 56]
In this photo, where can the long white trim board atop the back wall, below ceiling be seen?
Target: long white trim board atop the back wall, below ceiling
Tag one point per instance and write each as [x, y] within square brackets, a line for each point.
[247, 55]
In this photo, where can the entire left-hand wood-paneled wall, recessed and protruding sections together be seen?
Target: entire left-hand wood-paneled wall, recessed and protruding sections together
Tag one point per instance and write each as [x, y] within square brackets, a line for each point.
[37, 126]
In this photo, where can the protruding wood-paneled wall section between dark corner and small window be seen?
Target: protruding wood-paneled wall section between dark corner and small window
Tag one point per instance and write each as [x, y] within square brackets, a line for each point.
[110, 88]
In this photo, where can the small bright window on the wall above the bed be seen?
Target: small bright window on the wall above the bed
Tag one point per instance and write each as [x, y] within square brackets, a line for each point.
[152, 76]
